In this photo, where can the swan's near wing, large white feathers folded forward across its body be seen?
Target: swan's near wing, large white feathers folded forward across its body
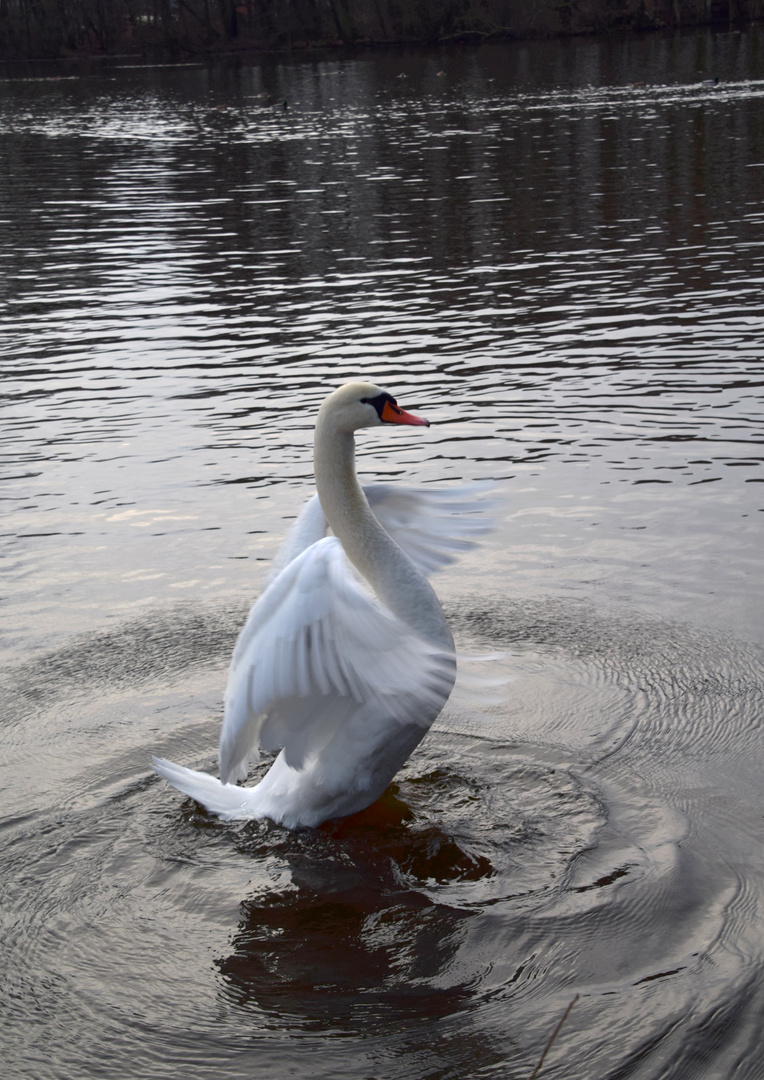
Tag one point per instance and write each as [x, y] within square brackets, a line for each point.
[317, 646]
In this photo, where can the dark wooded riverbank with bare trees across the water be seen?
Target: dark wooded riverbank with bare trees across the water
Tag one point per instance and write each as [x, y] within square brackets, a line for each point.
[61, 29]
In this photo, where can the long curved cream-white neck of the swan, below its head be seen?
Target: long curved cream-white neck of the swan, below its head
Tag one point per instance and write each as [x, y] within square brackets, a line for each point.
[393, 576]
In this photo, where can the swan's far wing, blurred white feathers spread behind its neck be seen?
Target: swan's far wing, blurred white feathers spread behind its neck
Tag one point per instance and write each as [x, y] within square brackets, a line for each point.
[433, 525]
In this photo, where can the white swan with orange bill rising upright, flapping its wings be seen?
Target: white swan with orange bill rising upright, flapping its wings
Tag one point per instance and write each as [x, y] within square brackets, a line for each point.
[346, 659]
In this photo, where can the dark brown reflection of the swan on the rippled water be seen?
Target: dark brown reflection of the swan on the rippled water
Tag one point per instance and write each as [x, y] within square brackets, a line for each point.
[347, 947]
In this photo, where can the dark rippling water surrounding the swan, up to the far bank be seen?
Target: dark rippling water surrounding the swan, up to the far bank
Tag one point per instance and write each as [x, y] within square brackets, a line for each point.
[556, 252]
